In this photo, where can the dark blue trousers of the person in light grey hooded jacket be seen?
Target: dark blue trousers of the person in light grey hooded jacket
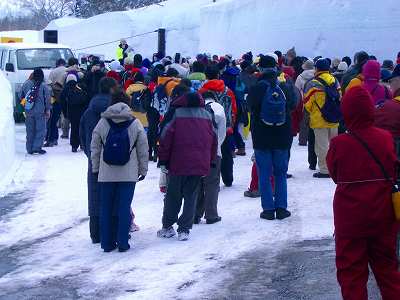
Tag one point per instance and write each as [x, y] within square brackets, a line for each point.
[115, 196]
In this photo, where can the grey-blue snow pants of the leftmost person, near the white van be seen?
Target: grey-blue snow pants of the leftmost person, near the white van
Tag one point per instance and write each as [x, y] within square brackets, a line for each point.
[35, 132]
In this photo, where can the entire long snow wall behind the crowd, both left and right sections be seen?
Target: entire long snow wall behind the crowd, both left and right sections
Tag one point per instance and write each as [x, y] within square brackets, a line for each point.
[323, 27]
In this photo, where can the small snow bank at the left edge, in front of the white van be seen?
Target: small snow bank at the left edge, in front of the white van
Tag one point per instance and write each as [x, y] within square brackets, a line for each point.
[7, 131]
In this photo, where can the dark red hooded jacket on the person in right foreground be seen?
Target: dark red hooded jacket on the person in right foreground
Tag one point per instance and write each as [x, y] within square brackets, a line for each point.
[362, 203]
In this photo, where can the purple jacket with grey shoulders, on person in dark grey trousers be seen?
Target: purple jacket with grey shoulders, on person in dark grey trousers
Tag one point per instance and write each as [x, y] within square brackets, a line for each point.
[188, 142]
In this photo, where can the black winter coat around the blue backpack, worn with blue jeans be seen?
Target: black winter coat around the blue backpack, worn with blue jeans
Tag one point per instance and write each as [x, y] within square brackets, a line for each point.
[270, 137]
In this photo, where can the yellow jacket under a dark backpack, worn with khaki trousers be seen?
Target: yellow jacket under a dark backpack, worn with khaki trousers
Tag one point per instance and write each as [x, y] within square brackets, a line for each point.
[314, 94]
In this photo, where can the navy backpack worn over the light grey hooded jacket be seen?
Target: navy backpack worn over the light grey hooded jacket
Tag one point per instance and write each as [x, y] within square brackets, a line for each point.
[117, 150]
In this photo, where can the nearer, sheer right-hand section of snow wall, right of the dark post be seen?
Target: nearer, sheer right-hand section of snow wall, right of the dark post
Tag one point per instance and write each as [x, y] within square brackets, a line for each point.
[327, 28]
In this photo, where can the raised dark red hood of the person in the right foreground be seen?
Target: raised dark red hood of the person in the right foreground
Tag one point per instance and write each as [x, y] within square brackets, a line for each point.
[357, 109]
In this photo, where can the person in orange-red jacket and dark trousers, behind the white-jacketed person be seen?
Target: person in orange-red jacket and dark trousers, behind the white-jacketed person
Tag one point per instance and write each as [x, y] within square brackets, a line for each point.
[217, 87]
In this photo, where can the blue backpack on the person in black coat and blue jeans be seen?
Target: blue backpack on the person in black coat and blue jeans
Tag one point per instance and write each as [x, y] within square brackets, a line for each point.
[273, 106]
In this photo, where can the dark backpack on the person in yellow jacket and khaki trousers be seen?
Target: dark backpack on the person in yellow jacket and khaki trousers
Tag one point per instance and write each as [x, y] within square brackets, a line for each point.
[330, 111]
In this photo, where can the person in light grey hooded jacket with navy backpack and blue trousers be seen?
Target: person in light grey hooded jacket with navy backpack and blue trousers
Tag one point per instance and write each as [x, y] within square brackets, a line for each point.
[119, 154]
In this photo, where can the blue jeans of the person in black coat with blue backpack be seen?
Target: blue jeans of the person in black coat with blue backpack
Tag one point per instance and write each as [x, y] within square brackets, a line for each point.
[272, 162]
